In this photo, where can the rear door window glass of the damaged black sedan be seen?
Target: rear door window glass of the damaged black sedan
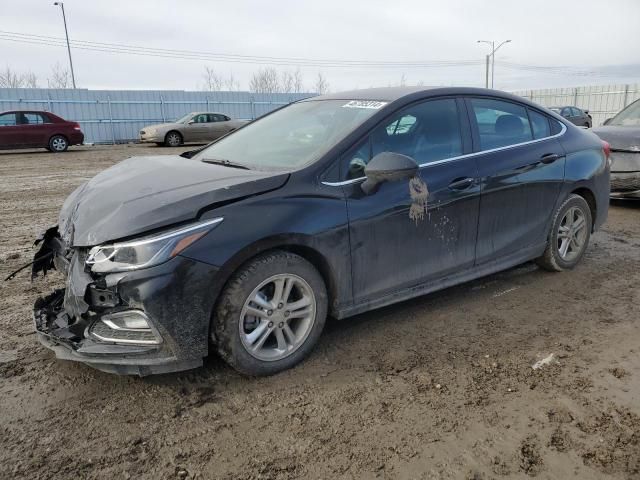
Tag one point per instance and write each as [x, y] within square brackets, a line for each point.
[500, 123]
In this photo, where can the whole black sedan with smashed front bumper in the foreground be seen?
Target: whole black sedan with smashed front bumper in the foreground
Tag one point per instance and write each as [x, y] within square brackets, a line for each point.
[333, 205]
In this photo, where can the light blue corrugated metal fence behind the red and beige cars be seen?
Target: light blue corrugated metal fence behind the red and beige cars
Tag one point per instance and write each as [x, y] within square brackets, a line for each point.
[116, 116]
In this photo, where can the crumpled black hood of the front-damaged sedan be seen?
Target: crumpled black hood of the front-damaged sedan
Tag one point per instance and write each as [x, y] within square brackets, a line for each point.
[144, 193]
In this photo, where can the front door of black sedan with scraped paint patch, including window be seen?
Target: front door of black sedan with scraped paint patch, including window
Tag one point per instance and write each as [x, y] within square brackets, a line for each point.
[413, 231]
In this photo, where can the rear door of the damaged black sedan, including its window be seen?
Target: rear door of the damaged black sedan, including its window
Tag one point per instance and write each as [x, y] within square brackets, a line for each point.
[521, 170]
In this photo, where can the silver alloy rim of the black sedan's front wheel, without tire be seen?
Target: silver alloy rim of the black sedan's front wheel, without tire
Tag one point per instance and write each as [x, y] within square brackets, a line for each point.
[277, 317]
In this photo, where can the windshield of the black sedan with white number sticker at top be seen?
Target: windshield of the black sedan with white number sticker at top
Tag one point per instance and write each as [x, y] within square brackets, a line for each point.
[293, 136]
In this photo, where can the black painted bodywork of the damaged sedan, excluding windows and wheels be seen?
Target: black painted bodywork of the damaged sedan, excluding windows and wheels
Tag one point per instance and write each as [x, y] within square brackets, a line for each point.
[367, 247]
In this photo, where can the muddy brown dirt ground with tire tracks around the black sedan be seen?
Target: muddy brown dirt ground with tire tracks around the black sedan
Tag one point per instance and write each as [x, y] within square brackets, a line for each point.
[437, 387]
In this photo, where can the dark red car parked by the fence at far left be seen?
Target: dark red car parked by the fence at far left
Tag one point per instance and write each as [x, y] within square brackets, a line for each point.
[28, 129]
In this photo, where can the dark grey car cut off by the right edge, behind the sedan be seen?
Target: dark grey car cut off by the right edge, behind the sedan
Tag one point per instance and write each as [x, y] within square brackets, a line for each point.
[622, 132]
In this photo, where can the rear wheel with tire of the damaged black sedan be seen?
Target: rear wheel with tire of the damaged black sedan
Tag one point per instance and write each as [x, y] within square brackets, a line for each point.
[569, 236]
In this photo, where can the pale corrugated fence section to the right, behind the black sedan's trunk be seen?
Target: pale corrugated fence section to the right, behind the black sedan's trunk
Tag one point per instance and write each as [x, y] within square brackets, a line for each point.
[602, 101]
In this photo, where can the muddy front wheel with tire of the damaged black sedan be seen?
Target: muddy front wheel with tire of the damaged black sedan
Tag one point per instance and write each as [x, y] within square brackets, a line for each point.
[271, 314]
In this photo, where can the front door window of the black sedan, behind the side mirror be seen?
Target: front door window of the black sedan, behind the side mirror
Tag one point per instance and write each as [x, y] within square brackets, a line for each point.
[427, 132]
